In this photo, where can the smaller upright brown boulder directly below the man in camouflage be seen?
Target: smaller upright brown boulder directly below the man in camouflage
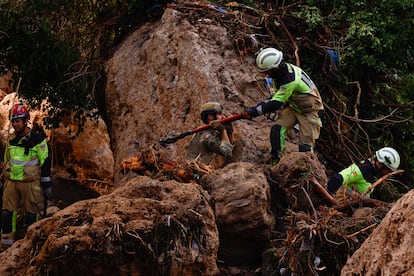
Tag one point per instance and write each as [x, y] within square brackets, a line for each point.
[241, 196]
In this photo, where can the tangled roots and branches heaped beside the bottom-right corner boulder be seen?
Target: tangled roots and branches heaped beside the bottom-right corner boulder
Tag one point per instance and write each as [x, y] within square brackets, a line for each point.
[319, 243]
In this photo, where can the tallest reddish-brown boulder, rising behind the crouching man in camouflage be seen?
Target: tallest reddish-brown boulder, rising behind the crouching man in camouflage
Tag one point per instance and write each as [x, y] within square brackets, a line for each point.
[163, 72]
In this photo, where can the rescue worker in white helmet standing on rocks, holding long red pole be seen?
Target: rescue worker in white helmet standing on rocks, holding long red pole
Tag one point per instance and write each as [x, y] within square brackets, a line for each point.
[297, 99]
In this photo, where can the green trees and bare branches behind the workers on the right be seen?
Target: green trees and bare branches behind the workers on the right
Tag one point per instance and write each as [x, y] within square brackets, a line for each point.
[374, 41]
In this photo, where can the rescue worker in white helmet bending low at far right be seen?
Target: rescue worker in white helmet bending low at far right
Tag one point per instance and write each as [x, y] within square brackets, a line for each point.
[358, 177]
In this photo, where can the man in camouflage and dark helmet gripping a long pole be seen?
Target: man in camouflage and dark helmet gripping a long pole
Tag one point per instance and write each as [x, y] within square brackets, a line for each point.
[216, 141]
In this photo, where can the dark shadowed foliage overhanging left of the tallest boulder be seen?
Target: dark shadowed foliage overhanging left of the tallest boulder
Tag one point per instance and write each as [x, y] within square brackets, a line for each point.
[58, 47]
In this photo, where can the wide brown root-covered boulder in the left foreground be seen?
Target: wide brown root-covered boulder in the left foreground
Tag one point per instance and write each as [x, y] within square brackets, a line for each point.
[147, 227]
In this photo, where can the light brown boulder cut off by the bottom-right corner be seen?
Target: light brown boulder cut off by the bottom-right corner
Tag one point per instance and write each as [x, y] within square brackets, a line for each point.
[389, 249]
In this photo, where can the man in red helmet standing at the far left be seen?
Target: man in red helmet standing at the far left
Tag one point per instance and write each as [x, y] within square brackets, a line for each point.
[27, 169]
